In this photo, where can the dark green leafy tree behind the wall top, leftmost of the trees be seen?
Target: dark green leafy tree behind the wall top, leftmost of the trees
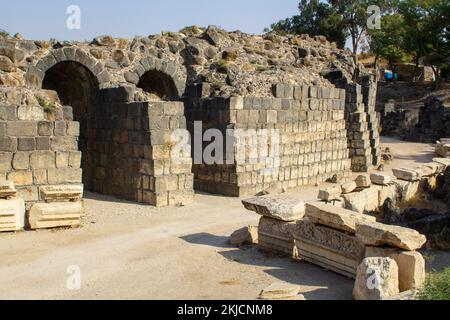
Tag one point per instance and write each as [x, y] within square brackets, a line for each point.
[315, 18]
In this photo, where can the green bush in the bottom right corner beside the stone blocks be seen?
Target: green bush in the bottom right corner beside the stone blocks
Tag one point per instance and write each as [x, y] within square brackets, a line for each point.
[437, 287]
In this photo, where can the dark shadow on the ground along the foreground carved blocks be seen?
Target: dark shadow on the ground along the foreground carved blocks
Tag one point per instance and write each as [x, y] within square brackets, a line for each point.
[324, 285]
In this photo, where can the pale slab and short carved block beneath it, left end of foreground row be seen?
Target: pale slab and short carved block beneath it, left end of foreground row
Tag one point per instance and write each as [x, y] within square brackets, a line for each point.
[276, 227]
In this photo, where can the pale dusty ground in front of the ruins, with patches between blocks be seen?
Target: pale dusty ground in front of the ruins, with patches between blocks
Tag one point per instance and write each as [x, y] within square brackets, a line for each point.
[129, 251]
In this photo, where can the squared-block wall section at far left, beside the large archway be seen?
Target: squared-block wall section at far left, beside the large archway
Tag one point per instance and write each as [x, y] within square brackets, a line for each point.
[38, 149]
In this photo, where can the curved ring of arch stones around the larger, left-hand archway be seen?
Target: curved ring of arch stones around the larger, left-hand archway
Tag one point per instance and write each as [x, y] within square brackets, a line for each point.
[35, 74]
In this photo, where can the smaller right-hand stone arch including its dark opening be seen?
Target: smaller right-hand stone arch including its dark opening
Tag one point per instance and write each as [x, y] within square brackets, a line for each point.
[160, 76]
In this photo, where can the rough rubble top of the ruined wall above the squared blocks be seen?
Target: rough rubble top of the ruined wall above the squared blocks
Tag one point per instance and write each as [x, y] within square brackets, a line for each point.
[231, 63]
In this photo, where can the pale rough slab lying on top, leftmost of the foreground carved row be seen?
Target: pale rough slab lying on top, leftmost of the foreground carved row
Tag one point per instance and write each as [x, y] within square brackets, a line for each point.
[284, 209]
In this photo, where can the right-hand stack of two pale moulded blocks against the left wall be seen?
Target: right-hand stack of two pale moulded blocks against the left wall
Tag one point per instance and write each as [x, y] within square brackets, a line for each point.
[62, 207]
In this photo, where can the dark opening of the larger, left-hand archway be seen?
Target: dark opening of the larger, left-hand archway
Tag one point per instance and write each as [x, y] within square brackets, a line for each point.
[77, 87]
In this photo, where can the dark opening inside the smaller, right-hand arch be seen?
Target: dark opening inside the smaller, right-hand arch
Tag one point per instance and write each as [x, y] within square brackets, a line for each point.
[159, 84]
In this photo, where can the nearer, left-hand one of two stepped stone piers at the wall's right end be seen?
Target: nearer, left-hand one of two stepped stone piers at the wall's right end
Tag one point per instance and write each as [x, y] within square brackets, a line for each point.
[358, 133]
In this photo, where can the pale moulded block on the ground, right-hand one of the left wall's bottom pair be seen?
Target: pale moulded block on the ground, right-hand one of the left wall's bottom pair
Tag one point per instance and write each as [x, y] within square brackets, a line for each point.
[54, 215]
